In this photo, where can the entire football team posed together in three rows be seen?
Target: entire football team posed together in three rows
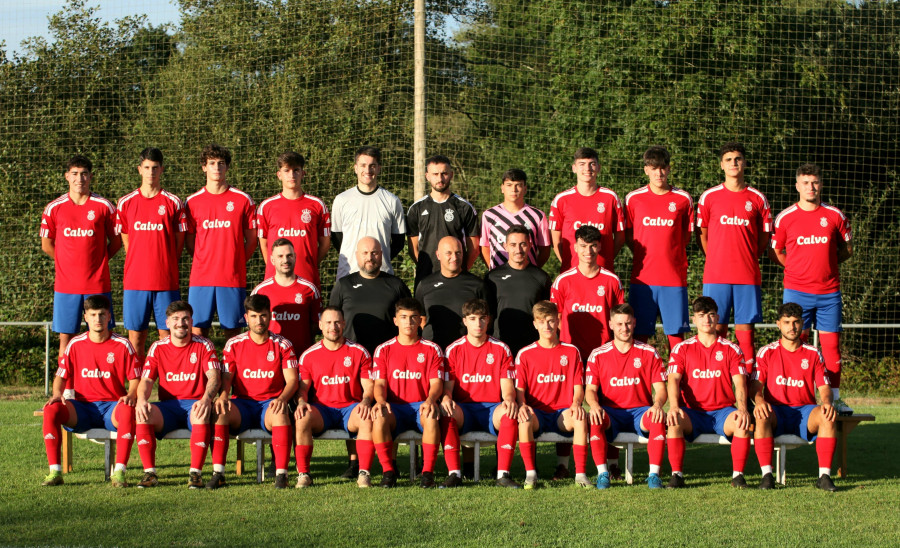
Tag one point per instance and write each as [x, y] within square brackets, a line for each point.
[515, 354]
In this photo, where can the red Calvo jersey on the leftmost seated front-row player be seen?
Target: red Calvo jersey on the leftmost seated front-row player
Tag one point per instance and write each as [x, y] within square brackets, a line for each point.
[98, 371]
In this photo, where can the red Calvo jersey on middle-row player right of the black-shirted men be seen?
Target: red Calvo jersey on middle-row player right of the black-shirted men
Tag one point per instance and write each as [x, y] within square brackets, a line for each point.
[584, 305]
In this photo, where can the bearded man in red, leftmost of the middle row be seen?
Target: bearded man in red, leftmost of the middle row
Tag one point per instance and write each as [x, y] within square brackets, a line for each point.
[295, 301]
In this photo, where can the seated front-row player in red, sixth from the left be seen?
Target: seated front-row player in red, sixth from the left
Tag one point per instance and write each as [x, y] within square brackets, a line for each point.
[479, 394]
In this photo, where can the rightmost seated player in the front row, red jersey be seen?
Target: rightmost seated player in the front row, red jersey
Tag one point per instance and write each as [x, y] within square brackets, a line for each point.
[782, 389]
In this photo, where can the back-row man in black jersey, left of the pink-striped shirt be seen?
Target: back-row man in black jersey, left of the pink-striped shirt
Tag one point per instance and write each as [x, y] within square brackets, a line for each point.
[440, 213]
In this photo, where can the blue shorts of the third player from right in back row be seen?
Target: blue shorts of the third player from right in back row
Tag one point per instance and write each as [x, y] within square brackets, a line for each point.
[669, 302]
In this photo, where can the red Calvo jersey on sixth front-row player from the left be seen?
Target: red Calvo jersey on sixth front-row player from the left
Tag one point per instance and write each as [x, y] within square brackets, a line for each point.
[477, 370]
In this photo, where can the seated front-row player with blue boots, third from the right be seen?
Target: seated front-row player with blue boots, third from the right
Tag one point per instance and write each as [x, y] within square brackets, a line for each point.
[626, 389]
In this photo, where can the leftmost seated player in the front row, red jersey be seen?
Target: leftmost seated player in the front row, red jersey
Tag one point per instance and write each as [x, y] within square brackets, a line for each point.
[96, 364]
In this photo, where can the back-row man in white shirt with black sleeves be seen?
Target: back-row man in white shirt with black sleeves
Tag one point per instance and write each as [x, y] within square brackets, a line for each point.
[367, 210]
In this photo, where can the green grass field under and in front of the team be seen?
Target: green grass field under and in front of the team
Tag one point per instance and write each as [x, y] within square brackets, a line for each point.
[86, 511]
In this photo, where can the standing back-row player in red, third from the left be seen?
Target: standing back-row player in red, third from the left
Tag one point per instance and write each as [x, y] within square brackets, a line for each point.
[221, 238]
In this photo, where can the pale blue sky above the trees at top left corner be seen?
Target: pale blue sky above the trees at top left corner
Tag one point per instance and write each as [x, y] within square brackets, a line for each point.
[23, 19]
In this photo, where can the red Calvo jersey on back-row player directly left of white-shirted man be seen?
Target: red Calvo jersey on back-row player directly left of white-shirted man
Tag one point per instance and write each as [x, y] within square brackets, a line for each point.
[302, 221]
